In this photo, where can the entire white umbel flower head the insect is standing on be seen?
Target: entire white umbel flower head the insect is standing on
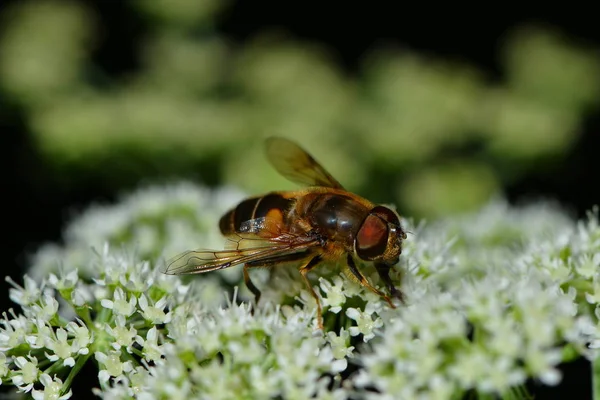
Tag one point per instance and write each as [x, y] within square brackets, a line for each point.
[494, 299]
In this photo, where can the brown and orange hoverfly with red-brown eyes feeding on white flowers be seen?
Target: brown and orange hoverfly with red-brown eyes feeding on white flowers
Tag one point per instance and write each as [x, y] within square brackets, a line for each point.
[320, 222]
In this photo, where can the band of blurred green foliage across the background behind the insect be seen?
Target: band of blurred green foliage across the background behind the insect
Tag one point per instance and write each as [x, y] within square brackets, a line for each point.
[429, 132]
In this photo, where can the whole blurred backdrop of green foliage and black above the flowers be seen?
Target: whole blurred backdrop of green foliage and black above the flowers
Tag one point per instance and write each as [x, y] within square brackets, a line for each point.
[434, 116]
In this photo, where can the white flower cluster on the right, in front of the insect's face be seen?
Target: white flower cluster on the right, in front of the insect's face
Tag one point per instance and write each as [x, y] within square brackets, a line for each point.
[488, 321]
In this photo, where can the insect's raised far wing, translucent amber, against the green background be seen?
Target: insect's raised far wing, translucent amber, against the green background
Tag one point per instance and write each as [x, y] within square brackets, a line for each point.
[294, 163]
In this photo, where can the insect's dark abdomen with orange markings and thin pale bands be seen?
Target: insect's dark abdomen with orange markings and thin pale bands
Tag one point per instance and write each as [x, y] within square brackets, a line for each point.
[273, 204]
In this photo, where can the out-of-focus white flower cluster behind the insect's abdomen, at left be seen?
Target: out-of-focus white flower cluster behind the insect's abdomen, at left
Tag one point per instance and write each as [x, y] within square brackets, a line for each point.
[156, 221]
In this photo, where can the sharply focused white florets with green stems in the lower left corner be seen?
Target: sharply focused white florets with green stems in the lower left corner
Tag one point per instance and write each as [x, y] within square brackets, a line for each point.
[66, 321]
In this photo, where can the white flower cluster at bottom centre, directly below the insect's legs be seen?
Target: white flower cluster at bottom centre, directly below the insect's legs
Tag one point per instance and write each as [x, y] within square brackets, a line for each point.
[233, 353]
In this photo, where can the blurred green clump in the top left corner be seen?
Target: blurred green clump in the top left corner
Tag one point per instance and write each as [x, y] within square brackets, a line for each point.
[44, 45]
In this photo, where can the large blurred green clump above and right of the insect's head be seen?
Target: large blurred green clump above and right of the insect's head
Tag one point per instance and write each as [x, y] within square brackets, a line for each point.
[413, 105]
